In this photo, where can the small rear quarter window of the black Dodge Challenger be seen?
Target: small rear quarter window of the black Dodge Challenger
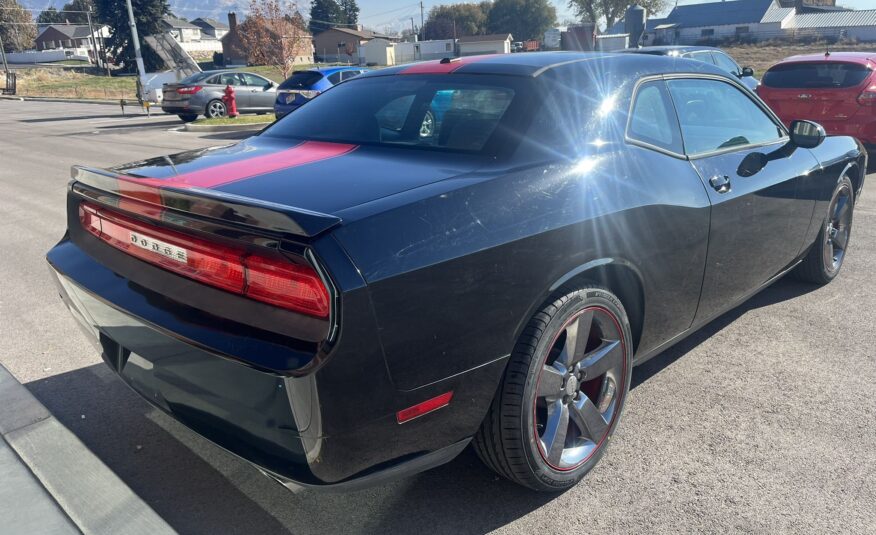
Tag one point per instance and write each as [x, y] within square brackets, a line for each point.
[652, 119]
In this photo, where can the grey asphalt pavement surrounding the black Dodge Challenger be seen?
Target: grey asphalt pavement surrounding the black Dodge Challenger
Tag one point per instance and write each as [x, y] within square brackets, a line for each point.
[765, 421]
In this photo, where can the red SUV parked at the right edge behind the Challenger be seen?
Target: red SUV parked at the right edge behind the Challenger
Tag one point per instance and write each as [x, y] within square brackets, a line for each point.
[836, 90]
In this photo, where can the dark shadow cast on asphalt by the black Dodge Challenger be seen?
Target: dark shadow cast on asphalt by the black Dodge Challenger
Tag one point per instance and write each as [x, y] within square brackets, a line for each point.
[198, 488]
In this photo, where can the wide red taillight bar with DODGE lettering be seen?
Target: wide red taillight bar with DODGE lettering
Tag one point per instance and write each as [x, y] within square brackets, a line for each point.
[284, 284]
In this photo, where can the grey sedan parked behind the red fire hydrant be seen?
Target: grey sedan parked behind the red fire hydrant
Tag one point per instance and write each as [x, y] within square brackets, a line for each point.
[201, 94]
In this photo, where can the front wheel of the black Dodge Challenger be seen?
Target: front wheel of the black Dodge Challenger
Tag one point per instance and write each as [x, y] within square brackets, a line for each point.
[825, 258]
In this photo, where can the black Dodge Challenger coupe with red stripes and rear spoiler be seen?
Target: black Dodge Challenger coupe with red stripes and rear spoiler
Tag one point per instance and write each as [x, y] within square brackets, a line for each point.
[474, 250]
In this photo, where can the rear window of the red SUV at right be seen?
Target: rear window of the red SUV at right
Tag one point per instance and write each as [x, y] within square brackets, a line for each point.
[816, 75]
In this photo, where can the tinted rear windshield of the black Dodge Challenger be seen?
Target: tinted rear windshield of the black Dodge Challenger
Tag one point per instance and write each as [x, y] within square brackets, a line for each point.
[443, 112]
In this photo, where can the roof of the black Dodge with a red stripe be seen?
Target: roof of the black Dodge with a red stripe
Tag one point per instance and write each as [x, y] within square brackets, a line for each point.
[533, 64]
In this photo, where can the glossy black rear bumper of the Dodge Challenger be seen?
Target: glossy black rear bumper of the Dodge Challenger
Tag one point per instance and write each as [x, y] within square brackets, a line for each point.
[333, 428]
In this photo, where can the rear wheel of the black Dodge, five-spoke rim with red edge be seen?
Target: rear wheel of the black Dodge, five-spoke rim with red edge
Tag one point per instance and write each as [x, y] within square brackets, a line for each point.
[562, 394]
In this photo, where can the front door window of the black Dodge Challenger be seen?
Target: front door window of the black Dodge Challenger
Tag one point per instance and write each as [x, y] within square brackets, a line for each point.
[716, 115]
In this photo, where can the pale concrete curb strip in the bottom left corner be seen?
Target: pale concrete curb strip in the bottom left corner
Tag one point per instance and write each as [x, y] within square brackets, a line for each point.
[91, 495]
